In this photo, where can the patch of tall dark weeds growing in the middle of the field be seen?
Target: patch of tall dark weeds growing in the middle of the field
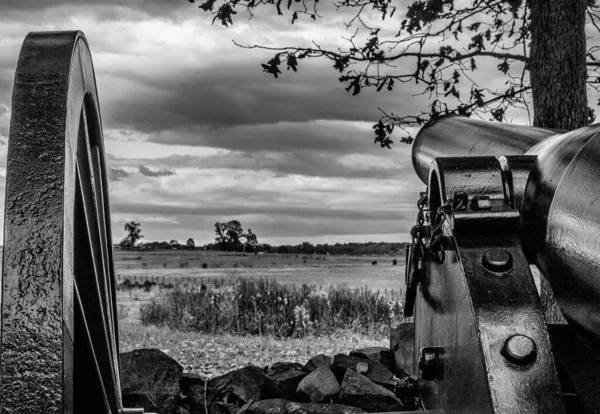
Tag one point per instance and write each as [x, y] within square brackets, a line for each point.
[264, 307]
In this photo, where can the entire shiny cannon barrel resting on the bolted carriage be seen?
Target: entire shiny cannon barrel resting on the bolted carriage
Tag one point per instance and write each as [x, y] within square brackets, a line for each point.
[559, 200]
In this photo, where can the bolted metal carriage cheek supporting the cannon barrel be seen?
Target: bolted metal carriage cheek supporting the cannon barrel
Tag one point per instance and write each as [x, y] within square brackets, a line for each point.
[475, 314]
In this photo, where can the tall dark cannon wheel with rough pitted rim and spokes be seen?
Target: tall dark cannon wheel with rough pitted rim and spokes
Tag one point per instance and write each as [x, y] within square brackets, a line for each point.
[59, 344]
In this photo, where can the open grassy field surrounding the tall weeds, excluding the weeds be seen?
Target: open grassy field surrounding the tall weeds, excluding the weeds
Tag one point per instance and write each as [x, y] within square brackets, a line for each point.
[211, 355]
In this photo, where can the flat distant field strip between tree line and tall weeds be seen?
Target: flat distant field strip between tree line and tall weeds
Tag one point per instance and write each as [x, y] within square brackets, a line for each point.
[355, 271]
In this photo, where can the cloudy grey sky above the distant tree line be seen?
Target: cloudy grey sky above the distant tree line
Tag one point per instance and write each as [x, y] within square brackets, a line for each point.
[195, 133]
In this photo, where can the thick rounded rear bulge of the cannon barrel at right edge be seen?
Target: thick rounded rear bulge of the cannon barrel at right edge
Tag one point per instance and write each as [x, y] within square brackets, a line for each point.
[571, 252]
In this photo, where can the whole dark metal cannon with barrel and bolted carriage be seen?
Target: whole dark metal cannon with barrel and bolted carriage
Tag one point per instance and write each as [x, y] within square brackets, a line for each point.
[500, 201]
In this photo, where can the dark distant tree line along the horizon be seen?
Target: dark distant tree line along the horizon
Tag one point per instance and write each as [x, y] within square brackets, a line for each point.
[230, 236]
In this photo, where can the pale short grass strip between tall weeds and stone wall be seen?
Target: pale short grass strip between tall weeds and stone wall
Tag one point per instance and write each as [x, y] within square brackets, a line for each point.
[213, 355]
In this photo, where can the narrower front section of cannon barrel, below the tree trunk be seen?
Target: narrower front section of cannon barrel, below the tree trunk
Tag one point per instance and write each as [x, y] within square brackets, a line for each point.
[459, 136]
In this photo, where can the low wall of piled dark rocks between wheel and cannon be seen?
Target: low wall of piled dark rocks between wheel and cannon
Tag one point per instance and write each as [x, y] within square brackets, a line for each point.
[365, 381]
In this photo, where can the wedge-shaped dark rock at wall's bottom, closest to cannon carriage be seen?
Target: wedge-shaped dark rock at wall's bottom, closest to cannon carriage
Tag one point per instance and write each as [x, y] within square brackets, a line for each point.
[359, 391]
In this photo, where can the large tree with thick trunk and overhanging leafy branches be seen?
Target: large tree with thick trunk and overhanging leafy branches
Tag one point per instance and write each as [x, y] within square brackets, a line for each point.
[537, 46]
